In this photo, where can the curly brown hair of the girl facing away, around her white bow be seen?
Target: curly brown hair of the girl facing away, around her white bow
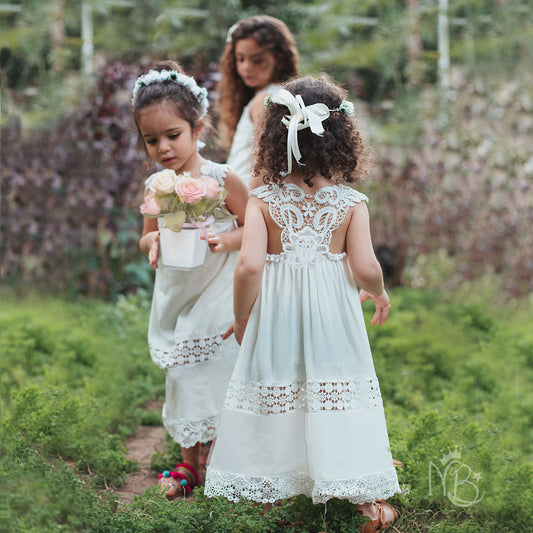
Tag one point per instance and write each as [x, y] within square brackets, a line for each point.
[340, 154]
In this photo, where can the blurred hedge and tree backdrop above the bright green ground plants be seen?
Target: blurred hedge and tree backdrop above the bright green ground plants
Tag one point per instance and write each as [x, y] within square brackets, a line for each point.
[452, 185]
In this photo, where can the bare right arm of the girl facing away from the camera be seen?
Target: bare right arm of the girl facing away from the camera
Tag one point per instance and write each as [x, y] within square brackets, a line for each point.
[364, 264]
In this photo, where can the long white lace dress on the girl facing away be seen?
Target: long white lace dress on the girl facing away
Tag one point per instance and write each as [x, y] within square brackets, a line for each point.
[303, 412]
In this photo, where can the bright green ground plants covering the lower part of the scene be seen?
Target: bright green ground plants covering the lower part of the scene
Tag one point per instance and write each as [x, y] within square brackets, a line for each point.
[455, 377]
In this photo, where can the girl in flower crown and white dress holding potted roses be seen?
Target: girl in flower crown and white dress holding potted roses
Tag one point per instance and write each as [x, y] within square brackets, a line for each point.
[191, 309]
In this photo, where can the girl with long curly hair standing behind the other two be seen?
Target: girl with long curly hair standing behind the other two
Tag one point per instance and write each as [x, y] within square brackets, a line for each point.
[260, 53]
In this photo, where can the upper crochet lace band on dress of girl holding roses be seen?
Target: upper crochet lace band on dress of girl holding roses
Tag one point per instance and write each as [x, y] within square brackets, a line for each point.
[187, 352]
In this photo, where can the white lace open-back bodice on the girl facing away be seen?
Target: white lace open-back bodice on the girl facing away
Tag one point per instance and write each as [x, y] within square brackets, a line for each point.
[307, 221]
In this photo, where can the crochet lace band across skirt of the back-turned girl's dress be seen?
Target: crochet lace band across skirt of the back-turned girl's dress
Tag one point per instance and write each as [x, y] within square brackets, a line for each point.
[276, 398]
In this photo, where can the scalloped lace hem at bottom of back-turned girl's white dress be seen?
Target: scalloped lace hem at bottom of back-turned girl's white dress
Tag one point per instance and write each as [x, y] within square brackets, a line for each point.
[367, 488]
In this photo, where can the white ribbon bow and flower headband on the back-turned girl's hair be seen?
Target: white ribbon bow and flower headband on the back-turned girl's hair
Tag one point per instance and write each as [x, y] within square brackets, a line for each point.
[301, 117]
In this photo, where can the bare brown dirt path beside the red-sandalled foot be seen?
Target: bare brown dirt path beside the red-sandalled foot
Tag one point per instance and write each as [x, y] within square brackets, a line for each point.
[141, 446]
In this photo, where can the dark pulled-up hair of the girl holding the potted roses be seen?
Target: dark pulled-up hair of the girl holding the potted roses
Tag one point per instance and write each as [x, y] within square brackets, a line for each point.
[179, 97]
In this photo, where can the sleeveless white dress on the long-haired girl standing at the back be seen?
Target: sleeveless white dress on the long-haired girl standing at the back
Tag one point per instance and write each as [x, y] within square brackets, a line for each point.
[240, 156]
